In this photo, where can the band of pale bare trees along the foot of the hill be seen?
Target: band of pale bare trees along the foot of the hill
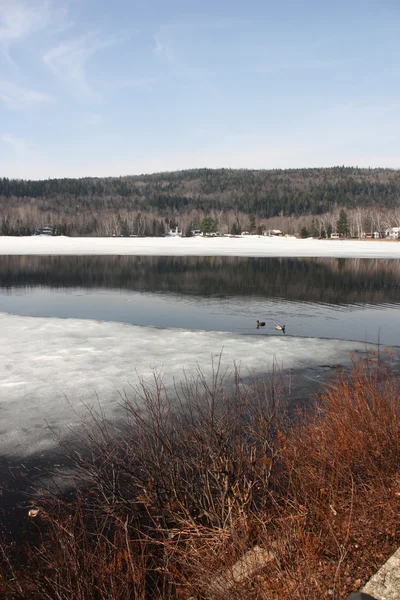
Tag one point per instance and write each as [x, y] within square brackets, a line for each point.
[25, 218]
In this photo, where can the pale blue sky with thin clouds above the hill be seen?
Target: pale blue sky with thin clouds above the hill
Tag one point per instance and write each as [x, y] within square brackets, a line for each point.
[100, 88]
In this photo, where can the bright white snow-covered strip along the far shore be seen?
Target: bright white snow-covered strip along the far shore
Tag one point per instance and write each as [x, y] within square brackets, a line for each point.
[199, 246]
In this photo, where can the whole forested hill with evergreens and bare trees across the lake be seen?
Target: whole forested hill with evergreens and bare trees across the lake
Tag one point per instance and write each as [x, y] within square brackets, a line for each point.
[150, 204]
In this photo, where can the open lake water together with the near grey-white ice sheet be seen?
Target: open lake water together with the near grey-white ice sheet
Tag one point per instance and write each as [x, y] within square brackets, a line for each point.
[78, 328]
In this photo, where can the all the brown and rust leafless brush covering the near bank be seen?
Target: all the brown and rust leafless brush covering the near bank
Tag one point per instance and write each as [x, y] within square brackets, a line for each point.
[217, 495]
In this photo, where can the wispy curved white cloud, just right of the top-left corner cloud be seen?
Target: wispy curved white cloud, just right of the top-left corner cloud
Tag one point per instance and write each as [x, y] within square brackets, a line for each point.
[68, 61]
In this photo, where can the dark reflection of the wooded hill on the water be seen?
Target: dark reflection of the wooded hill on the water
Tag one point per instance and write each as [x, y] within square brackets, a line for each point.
[333, 281]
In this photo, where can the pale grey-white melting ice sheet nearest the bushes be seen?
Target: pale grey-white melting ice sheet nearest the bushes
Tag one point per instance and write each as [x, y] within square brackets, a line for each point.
[45, 361]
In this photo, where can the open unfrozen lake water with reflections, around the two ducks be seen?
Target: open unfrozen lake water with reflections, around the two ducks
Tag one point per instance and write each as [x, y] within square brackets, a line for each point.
[352, 299]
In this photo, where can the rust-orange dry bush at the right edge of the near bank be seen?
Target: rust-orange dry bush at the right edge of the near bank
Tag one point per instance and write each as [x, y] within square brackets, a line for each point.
[337, 481]
